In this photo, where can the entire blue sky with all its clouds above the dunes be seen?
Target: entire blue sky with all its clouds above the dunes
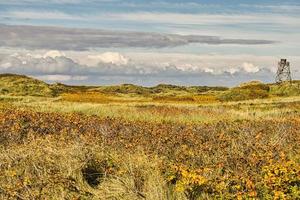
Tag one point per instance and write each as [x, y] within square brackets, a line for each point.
[107, 42]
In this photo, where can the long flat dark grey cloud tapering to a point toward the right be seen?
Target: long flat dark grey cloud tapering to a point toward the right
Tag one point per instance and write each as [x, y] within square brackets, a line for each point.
[35, 37]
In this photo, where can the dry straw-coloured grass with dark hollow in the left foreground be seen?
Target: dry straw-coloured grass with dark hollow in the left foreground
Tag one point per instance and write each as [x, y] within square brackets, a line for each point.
[49, 168]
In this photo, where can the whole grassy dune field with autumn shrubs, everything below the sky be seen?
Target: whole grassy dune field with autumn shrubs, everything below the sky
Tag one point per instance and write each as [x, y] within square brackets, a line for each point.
[165, 142]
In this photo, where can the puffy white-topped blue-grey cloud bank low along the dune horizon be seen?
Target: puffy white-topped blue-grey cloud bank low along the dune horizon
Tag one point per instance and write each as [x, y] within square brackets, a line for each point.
[54, 66]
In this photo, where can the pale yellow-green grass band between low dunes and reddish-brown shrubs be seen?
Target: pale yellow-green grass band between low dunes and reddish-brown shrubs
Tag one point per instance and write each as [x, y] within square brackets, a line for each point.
[187, 113]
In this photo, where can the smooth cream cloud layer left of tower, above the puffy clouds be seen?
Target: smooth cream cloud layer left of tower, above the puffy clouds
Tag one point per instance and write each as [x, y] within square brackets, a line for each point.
[206, 62]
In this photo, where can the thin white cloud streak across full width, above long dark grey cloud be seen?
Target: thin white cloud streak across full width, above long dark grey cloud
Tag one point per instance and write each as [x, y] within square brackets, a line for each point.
[161, 17]
